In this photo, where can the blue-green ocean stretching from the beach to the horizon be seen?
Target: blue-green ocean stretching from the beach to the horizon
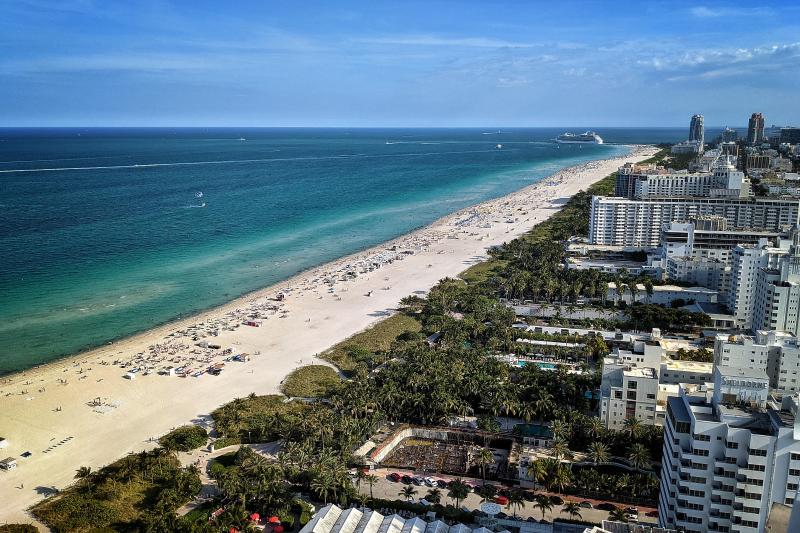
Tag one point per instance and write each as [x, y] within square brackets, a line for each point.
[107, 232]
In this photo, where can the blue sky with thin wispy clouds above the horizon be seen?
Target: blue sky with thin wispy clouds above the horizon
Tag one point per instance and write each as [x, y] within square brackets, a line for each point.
[404, 63]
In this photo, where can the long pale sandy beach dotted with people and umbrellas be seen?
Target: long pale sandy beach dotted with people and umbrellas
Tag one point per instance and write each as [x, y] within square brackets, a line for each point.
[93, 408]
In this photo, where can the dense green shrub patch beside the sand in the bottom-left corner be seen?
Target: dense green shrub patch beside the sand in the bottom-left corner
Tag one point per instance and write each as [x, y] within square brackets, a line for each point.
[137, 492]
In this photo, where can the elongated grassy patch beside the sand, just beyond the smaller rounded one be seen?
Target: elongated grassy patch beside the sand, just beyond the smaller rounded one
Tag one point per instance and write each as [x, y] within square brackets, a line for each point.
[369, 343]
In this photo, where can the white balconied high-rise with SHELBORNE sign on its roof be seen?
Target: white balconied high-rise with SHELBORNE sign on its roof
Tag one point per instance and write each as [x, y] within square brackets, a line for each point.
[728, 456]
